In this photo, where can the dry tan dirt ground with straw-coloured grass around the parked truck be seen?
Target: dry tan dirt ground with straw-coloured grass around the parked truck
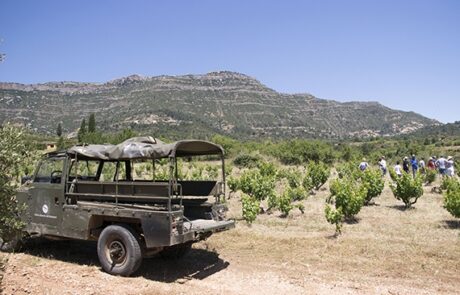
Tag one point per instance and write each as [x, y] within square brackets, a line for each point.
[387, 251]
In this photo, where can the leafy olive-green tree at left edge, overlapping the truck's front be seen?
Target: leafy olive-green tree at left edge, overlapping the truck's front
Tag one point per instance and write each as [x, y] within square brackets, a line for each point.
[13, 153]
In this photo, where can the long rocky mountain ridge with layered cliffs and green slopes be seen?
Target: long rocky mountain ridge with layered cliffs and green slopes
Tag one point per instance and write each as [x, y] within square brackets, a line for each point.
[198, 105]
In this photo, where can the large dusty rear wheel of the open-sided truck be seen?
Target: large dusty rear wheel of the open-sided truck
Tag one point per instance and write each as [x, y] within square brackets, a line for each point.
[119, 251]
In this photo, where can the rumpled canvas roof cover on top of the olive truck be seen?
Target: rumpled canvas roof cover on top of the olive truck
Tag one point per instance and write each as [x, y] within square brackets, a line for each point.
[145, 147]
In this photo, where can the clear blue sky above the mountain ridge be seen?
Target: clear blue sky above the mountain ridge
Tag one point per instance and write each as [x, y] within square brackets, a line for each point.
[403, 54]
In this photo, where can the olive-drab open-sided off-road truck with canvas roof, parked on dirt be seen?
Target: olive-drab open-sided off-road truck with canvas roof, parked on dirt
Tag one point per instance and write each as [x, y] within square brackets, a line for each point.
[94, 192]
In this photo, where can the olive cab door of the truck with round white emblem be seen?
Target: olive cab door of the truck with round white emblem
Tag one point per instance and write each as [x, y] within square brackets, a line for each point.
[47, 195]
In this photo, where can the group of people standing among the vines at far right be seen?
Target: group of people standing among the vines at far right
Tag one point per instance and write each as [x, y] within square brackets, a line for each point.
[443, 165]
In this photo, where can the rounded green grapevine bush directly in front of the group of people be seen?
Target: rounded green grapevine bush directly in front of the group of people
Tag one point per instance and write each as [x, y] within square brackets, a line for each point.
[407, 189]
